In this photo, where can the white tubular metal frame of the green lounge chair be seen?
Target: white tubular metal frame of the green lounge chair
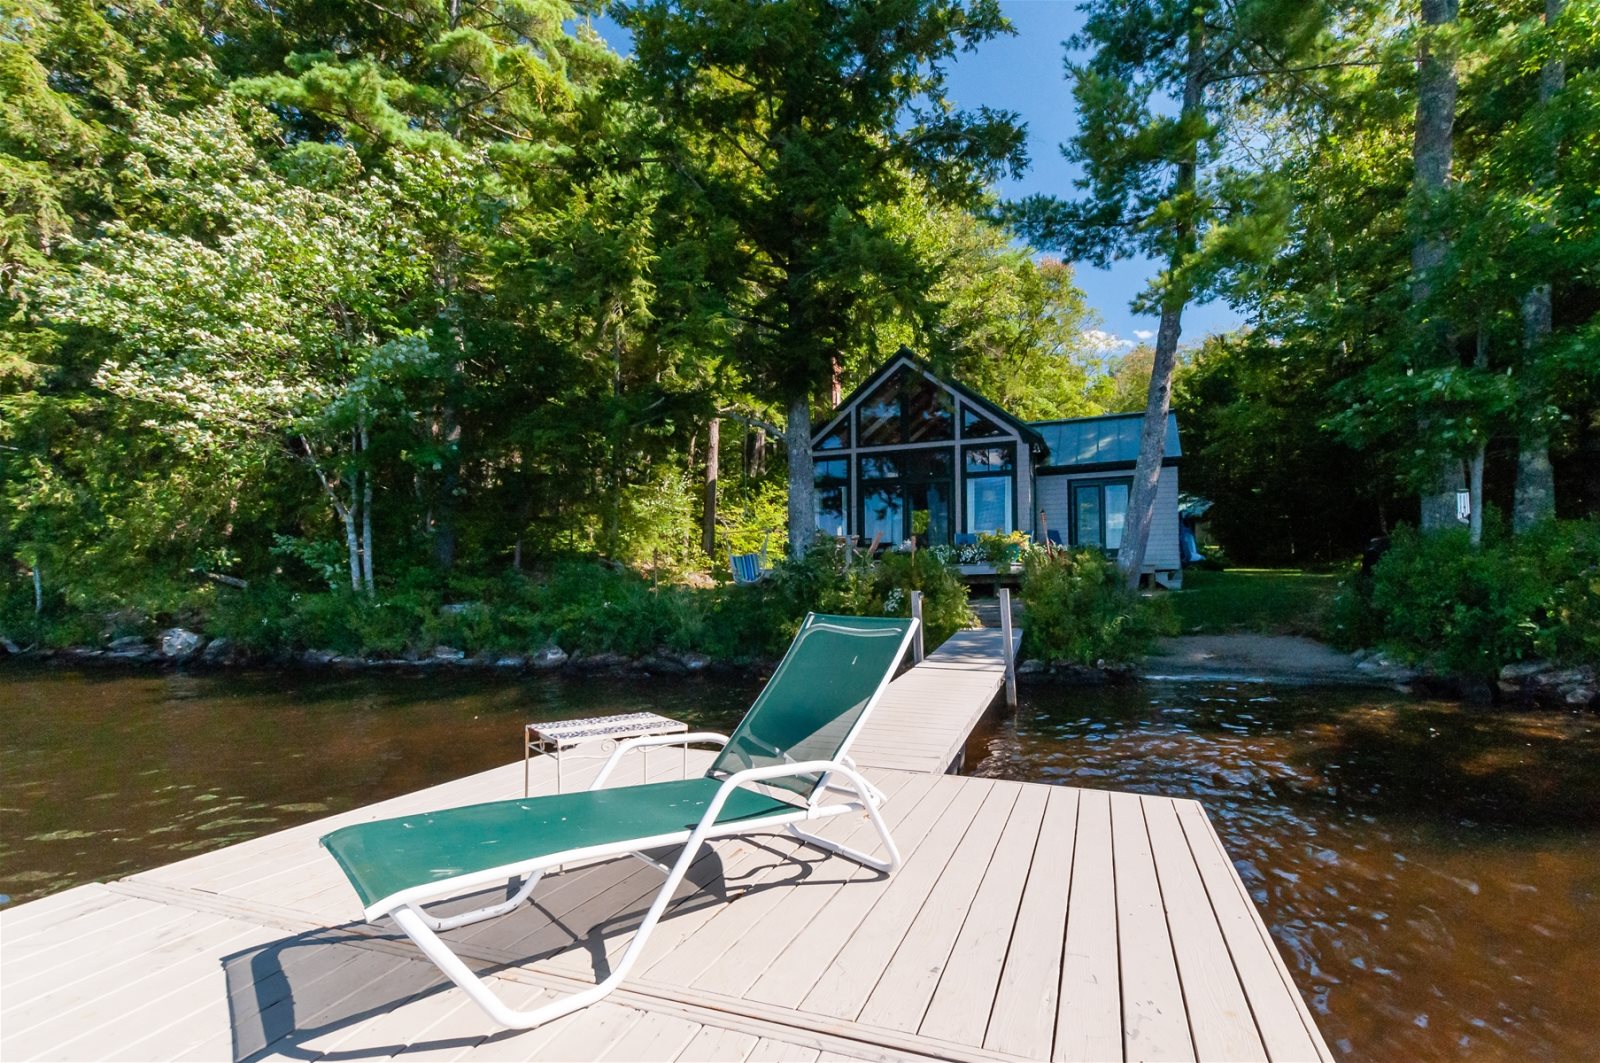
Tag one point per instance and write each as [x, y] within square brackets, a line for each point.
[836, 777]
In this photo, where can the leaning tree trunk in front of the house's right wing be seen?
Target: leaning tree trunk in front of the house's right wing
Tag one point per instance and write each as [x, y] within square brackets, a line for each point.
[1159, 398]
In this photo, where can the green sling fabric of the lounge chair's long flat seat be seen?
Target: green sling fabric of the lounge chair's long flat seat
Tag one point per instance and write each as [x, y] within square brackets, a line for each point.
[390, 856]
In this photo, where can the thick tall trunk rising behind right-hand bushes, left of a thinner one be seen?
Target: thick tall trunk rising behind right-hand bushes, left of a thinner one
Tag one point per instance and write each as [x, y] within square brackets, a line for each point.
[1431, 156]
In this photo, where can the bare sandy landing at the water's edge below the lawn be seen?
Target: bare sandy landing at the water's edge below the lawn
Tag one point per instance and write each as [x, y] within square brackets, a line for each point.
[1281, 659]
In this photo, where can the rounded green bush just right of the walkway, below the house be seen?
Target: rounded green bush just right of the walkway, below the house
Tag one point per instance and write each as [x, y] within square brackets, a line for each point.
[1079, 609]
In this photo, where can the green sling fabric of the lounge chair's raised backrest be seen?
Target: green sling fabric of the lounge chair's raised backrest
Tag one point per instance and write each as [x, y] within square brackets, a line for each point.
[817, 696]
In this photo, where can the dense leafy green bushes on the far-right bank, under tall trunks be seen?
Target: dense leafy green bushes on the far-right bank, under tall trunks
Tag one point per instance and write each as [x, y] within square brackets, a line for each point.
[1436, 600]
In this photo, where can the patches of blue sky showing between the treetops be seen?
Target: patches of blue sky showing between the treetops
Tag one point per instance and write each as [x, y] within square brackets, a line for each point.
[1025, 74]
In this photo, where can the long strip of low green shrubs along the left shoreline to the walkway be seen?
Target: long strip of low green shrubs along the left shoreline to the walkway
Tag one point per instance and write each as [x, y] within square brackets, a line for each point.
[580, 604]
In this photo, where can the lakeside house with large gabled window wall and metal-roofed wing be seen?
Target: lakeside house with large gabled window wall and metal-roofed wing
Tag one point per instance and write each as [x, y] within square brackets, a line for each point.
[914, 455]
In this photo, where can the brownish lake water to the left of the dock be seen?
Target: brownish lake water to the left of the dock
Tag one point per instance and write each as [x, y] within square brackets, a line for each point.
[108, 774]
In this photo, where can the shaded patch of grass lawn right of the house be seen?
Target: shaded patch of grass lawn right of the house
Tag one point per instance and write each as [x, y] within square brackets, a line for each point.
[1263, 601]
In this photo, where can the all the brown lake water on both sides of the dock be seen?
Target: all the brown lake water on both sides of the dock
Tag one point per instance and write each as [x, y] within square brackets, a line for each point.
[1431, 872]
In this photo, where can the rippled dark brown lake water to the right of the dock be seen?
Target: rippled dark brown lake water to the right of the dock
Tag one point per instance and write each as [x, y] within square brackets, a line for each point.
[1431, 872]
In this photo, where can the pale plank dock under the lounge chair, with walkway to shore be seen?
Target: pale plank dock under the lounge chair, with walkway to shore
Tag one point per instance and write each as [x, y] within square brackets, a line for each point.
[1028, 923]
